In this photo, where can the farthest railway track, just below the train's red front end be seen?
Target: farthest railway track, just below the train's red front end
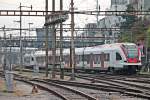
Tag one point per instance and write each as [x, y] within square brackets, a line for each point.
[135, 81]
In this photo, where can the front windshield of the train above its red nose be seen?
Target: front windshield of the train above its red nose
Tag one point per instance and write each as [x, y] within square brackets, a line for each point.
[131, 51]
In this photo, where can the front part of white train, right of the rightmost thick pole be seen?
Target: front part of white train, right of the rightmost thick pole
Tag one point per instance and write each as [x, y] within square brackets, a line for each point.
[124, 57]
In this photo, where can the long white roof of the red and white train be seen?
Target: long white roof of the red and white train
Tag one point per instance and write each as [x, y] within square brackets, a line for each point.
[87, 50]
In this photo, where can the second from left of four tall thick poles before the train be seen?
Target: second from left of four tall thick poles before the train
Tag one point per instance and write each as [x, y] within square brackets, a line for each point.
[53, 43]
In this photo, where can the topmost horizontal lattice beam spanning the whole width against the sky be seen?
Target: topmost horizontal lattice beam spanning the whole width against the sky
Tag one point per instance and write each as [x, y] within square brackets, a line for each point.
[84, 12]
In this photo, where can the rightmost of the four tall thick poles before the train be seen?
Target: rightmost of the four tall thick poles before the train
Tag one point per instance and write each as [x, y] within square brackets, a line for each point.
[72, 64]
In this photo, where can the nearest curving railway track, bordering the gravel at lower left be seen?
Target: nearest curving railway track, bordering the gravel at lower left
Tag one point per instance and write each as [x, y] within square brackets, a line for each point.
[39, 82]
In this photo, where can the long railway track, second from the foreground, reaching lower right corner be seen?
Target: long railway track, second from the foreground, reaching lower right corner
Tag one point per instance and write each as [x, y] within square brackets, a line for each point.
[111, 87]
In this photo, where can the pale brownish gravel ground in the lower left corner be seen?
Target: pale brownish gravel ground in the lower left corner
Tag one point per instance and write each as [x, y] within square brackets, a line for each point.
[23, 91]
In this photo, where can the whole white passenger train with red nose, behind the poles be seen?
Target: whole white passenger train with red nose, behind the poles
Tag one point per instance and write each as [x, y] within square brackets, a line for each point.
[117, 57]
